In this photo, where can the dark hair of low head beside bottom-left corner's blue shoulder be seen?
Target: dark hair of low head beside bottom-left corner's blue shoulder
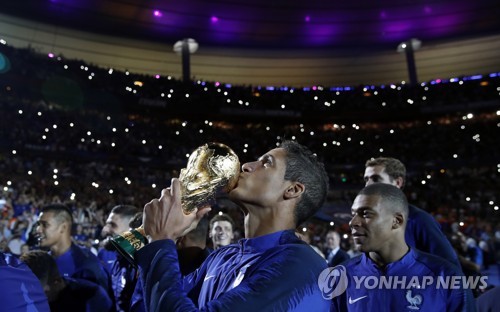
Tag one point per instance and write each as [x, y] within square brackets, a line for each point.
[42, 264]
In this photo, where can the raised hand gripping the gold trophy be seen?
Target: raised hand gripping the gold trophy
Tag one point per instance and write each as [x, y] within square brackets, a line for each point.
[164, 218]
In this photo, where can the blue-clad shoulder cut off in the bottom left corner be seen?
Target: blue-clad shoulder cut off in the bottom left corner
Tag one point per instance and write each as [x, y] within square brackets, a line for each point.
[20, 290]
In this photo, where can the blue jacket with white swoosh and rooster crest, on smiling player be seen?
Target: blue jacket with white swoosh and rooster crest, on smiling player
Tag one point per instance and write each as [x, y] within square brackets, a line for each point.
[417, 282]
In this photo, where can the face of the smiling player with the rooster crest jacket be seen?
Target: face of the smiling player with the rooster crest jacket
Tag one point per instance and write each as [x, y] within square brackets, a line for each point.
[371, 224]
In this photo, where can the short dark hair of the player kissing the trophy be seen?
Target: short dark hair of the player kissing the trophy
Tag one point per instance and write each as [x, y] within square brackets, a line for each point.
[303, 166]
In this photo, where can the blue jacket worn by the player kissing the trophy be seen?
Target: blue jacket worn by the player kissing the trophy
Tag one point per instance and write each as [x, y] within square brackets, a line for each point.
[274, 272]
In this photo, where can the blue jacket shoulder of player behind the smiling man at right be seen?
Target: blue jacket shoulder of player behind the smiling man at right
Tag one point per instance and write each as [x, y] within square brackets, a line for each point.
[424, 233]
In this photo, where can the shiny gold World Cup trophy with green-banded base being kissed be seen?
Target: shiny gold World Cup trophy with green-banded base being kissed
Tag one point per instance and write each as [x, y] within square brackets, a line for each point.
[211, 168]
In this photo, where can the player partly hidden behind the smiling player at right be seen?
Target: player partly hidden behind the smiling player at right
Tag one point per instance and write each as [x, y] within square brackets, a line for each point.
[423, 232]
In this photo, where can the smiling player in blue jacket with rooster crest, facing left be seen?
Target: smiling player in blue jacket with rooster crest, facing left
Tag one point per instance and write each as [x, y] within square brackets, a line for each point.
[390, 275]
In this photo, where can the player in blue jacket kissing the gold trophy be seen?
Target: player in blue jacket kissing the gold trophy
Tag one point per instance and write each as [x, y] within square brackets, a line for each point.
[270, 270]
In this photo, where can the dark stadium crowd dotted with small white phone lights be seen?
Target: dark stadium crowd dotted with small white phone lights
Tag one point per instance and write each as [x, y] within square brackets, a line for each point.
[117, 138]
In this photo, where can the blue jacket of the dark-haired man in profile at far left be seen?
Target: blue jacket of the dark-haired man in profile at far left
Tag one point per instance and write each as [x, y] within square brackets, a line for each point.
[79, 262]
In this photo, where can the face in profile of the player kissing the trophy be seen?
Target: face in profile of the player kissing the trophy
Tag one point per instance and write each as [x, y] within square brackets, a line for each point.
[262, 182]
